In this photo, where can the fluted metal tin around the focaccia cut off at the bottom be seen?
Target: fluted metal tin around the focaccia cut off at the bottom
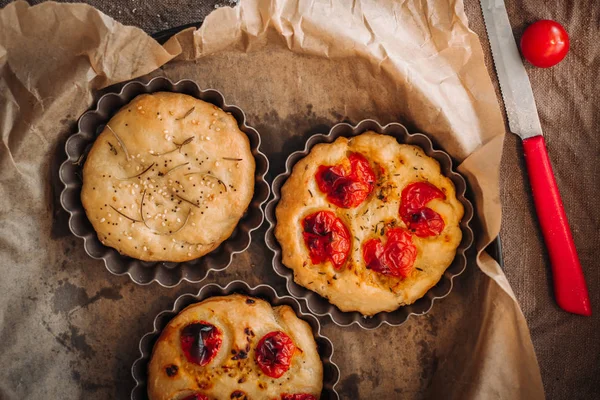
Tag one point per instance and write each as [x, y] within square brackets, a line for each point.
[331, 372]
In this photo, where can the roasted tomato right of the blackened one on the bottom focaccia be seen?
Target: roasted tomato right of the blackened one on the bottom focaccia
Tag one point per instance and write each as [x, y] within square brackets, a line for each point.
[274, 353]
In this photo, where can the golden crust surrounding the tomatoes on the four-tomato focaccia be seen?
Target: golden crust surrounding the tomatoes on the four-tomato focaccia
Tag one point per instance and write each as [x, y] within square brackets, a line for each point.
[354, 287]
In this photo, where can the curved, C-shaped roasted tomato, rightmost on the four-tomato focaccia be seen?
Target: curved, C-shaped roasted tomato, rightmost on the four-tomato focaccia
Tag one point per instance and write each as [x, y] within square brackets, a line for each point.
[421, 220]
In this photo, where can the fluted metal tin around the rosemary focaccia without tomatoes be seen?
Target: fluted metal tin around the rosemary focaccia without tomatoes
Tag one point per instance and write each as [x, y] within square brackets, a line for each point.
[167, 274]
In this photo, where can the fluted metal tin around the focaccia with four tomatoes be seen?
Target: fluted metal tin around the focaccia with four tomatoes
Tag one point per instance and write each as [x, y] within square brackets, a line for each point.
[319, 305]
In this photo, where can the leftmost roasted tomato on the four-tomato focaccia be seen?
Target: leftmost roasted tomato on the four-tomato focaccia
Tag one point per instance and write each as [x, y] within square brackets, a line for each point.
[327, 238]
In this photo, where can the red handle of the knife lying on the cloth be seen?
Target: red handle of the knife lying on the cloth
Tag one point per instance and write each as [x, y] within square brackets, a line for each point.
[569, 284]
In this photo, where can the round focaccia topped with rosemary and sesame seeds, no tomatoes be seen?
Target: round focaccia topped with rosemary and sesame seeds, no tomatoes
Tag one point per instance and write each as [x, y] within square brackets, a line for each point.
[168, 178]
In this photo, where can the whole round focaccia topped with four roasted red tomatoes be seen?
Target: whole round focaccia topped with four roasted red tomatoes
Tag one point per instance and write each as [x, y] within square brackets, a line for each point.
[368, 223]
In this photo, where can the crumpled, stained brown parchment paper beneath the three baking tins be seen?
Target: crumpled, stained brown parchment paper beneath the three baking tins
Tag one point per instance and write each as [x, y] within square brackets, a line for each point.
[68, 329]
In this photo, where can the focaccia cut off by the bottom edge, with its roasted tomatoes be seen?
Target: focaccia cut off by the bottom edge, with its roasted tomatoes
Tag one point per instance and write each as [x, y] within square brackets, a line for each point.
[235, 347]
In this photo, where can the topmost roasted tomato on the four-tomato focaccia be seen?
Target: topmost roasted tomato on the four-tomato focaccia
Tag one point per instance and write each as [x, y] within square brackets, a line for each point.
[347, 184]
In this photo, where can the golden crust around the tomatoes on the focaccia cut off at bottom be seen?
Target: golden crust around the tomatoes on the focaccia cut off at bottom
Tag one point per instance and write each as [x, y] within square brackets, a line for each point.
[242, 325]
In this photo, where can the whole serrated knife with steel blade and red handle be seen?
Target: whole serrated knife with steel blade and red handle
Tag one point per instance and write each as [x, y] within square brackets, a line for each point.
[570, 288]
